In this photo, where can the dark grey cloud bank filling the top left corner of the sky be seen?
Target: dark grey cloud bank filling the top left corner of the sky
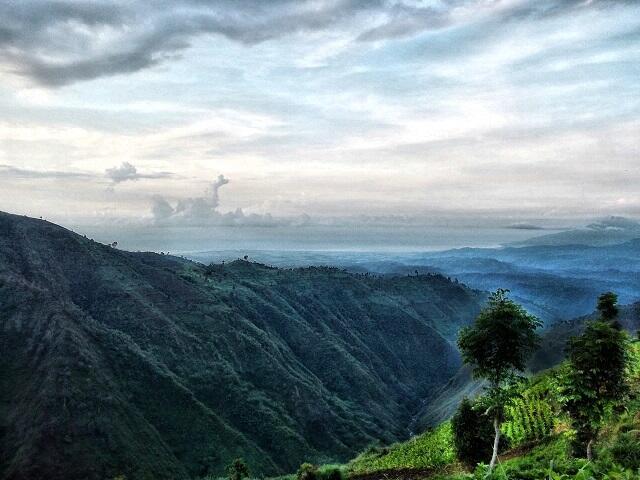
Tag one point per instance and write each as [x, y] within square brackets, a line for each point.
[40, 39]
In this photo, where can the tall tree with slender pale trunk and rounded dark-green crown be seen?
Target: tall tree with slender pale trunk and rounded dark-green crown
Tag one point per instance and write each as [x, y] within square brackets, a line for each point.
[497, 346]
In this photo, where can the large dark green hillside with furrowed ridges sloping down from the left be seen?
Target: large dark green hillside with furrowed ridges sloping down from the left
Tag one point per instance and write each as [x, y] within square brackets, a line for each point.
[156, 367]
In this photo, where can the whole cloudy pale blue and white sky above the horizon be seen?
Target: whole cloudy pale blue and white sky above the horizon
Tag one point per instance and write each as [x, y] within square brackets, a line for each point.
[274, 119]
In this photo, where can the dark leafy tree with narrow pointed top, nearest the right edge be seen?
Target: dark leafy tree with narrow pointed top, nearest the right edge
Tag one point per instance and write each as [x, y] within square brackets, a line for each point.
[595, 378]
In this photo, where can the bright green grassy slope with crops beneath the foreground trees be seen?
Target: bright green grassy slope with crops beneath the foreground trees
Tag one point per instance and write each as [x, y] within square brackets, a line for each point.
[538, 443]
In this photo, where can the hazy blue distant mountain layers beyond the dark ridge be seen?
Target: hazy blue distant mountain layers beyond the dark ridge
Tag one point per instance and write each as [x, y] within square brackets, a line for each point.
[553, 282]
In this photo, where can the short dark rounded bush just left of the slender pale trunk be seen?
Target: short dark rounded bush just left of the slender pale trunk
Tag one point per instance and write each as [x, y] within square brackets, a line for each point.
[472, 431]
